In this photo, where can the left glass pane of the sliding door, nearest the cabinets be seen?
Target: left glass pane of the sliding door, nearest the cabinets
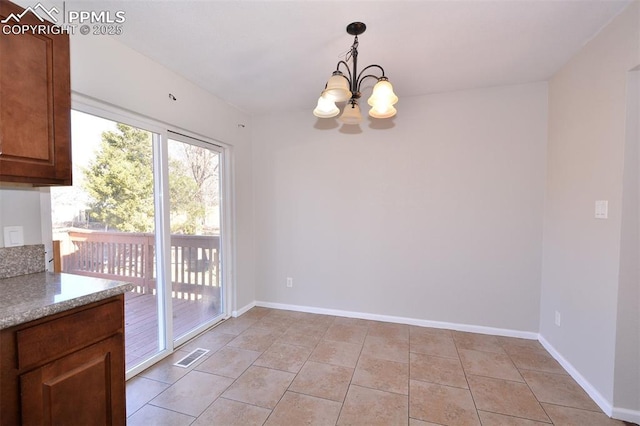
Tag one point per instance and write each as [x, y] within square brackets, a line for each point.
[105, 222]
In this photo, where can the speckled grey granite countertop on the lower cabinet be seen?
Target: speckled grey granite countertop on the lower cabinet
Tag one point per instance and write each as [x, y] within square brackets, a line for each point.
[33, 296]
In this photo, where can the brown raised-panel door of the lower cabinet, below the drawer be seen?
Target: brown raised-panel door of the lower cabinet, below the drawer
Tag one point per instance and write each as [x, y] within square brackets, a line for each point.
[83, 388]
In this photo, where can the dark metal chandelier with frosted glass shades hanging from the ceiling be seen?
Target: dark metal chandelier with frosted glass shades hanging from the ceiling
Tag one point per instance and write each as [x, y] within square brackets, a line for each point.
[346, 88]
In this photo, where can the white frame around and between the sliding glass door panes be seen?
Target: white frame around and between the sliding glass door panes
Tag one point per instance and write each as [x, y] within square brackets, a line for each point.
[161, 134]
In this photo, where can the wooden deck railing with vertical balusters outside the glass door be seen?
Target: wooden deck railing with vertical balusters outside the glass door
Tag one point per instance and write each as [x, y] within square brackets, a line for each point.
[195, 260]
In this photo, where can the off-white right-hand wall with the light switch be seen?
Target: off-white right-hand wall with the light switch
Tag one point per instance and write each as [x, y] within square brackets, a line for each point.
[581, 255]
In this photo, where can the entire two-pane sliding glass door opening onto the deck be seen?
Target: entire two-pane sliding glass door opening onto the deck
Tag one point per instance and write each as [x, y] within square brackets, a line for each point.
[145, 208]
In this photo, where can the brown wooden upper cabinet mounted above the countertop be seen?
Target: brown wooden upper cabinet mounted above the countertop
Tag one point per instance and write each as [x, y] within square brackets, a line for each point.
[35, 102]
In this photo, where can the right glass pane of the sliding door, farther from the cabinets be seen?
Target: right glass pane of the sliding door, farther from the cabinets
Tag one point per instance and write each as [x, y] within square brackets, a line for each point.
[194, 187]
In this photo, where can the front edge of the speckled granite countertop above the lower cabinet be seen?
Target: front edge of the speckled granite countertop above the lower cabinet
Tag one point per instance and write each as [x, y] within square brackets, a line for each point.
[66, 305]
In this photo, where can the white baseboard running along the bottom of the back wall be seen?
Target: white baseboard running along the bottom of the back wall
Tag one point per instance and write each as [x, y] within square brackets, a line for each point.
[403, 320]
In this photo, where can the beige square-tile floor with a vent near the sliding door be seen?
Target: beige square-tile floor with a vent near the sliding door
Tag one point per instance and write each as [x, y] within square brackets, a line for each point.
[276, 367]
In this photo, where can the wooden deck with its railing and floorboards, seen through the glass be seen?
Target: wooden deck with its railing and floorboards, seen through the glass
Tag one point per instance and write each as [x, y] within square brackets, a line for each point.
[194, 274]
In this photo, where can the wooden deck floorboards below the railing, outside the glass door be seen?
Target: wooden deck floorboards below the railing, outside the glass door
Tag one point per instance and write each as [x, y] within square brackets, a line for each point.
[141, 322]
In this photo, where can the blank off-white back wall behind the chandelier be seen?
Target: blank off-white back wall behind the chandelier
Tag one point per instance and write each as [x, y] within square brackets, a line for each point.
[437, 218]
